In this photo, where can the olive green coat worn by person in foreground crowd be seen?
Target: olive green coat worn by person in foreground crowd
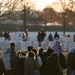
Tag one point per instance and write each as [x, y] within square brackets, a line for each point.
[30, 66]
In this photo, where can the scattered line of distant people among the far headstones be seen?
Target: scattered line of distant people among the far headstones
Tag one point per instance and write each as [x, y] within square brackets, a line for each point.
[24, 36]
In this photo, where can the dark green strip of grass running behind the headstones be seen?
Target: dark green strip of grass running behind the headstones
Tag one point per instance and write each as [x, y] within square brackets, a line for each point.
[35, 28]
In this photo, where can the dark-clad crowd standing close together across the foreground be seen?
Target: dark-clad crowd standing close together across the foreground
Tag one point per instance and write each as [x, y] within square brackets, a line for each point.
[39, 62]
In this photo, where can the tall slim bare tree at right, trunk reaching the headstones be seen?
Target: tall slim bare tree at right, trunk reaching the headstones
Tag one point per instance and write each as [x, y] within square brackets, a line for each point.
[65, 6]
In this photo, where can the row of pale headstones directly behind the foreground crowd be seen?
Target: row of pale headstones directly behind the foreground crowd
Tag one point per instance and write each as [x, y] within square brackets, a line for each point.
[23, 45]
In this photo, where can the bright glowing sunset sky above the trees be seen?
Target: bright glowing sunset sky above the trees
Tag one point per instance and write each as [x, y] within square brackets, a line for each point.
[41, 4]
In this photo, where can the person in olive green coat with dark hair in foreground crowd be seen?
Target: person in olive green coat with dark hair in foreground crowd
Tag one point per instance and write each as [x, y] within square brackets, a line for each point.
[31, 64]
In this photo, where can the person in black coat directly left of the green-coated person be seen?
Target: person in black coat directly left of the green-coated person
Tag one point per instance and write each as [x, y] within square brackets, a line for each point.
[19, 69]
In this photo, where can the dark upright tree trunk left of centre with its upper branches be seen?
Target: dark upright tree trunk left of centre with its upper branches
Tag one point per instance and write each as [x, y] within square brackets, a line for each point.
[27, 6]
